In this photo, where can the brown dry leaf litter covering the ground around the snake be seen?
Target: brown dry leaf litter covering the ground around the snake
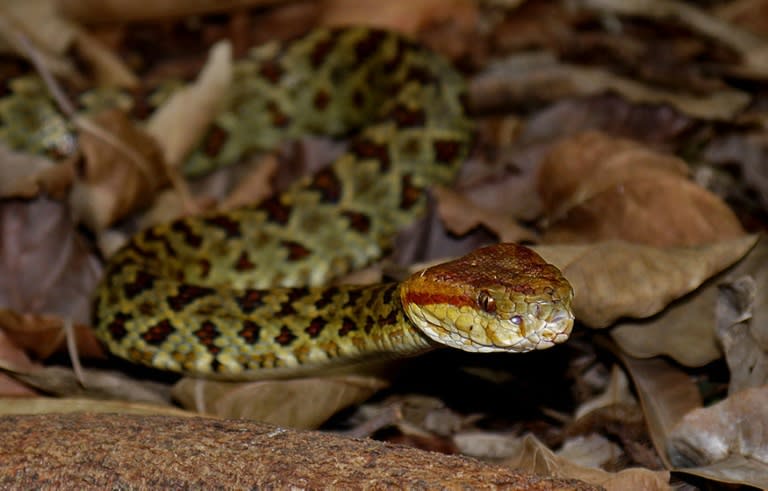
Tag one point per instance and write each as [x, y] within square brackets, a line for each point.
[595, 142]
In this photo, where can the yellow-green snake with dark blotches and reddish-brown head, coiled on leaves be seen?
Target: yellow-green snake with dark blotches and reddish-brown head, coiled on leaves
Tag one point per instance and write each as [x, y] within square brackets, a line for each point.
[241, 294]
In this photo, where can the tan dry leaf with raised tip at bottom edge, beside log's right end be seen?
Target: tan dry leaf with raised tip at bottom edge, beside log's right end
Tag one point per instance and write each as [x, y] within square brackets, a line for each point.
[533, 456]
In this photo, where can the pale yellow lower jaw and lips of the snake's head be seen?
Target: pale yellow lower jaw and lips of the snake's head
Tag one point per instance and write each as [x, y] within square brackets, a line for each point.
[482, 333]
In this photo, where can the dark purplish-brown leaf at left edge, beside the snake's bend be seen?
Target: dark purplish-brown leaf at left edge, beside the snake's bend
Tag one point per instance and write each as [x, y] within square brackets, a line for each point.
[46, 274]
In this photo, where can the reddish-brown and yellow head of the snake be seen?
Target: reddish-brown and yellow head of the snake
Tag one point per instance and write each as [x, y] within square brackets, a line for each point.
[503, 297]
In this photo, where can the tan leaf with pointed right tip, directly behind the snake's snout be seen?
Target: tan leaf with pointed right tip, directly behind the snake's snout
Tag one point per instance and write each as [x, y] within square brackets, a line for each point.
[618, 279]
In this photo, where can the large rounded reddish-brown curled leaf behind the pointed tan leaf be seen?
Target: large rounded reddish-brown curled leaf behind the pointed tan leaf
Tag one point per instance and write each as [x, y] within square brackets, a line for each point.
[595, 187]
